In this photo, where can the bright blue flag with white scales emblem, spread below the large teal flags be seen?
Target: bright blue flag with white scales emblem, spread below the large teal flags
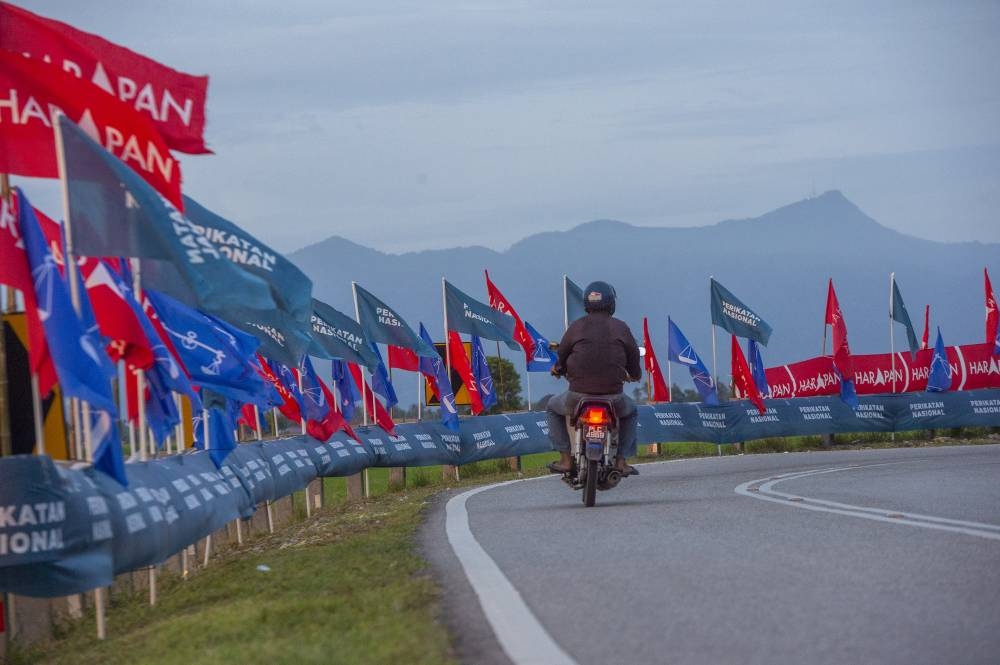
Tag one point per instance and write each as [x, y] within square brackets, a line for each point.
[215, 354]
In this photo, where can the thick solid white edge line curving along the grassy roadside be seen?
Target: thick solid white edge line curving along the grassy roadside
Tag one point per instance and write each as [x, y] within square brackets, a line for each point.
[522, 637]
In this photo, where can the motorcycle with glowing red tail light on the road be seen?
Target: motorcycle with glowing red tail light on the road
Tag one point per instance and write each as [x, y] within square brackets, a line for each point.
[593, 429]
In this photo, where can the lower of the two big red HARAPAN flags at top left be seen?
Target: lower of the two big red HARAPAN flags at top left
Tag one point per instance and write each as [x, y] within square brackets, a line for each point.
[30, 89]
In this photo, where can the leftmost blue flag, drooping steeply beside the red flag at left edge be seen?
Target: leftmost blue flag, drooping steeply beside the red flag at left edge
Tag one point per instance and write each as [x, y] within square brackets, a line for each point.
[83, 368]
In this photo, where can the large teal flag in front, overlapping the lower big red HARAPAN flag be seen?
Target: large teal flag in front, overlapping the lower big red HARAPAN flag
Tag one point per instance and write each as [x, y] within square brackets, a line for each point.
[114, 212]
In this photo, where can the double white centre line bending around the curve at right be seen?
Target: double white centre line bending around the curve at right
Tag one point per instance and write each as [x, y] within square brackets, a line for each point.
[765, 492]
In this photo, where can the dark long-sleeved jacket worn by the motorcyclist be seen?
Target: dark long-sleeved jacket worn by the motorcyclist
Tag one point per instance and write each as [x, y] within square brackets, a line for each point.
[598, 354]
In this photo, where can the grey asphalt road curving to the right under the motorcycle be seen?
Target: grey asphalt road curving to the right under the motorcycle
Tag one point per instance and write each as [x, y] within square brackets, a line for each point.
[883, 556]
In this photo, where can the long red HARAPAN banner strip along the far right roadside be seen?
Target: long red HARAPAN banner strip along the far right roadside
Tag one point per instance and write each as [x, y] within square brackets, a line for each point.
[973, 367]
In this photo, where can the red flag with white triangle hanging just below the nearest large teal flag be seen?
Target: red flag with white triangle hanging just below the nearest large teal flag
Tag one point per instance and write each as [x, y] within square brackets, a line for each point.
[115, 317]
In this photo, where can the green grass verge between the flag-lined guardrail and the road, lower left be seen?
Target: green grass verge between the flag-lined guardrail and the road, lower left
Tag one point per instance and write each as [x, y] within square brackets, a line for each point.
[344, 587]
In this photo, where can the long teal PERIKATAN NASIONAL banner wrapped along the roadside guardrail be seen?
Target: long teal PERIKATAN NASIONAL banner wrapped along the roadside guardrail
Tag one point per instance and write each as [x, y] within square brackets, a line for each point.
[67, 528]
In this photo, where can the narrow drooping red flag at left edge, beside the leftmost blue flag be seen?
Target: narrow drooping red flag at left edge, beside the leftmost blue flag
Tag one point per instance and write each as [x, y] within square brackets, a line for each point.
[15, 272]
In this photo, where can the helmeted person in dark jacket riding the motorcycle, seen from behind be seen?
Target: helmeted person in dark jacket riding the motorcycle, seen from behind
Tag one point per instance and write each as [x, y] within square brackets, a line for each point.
[598, 354]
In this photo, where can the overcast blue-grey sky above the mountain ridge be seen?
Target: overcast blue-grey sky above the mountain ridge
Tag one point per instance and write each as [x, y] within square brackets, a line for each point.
[409, 125]
